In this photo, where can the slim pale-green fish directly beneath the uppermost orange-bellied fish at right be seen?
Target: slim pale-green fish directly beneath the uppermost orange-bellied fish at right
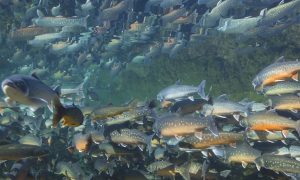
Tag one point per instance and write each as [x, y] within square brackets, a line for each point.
[281, 88]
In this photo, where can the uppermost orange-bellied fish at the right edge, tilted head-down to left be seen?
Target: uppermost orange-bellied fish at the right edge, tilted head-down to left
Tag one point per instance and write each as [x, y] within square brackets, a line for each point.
[280, 70]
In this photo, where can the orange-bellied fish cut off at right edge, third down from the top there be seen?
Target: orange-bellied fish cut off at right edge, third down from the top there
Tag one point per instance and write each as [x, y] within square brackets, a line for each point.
[285, 102]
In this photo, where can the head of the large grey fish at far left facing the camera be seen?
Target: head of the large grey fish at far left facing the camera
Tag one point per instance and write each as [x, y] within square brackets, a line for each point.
[15, 86]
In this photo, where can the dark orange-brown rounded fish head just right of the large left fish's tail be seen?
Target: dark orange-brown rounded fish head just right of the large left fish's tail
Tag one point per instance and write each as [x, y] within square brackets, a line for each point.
[72, 117]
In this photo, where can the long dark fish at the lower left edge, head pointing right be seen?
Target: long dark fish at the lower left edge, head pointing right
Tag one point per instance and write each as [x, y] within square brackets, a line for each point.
[21, 151]
